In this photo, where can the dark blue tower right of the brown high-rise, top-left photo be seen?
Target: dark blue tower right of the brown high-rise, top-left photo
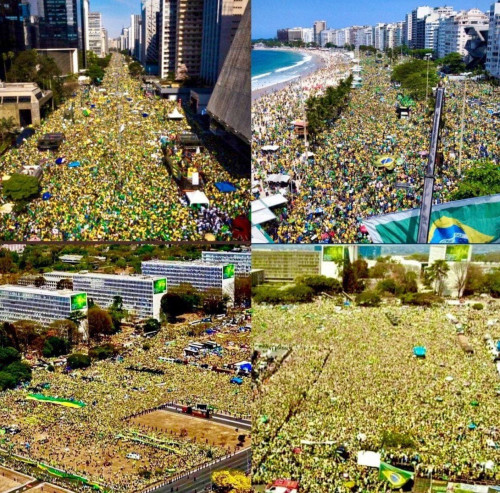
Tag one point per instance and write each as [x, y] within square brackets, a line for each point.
[221, 19]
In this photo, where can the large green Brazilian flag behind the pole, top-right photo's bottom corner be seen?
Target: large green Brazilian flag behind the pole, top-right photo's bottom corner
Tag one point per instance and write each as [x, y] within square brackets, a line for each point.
[474, 220]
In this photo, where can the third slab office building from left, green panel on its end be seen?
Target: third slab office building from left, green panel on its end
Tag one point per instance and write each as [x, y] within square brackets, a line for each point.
[200, 275]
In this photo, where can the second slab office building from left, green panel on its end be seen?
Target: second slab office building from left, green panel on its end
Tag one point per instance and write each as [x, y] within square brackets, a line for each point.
[141, 295]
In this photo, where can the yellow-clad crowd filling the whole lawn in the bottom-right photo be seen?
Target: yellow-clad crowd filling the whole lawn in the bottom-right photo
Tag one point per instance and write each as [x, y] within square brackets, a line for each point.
[357, 383]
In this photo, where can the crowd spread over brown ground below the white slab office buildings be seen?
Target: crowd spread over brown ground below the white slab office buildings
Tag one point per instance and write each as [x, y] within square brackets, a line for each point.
[86, 441]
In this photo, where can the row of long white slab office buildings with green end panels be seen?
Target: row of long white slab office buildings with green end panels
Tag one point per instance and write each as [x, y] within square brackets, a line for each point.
[58, 295]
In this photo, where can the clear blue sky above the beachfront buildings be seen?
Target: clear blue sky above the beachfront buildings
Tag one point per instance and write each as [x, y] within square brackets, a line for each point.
[270, 15]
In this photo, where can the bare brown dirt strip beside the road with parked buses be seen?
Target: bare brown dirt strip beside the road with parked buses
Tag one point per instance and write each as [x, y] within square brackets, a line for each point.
[203, 430]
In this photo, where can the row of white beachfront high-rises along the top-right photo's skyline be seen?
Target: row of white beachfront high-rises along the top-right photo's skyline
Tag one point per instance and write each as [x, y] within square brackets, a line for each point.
[472, 33]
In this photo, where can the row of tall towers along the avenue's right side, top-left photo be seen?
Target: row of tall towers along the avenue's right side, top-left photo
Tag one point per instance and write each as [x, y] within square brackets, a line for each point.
[189, 35]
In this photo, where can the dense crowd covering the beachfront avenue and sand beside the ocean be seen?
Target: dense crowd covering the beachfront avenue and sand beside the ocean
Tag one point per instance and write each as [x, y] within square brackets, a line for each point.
[341, 184]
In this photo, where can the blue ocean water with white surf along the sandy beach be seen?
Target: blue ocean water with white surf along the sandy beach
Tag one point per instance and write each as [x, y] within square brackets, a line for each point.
[271, 67]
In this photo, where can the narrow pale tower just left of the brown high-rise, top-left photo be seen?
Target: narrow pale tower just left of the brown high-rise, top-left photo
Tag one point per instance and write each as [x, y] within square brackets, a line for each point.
[150, 12]
